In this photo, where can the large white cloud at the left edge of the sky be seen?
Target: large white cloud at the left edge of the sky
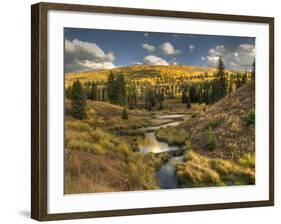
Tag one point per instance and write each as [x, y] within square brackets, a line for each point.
[82, 56]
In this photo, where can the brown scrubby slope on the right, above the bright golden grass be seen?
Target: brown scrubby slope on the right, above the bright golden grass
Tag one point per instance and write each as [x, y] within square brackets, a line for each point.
[226, 120]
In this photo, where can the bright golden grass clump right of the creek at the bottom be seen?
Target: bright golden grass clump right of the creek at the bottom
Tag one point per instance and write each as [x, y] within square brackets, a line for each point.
[198, 170]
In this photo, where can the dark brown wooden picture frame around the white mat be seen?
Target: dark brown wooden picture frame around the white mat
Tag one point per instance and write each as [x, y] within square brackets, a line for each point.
[39, 110]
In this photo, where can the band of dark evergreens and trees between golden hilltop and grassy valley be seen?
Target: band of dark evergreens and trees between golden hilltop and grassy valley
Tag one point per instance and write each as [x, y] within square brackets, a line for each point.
[117, 91]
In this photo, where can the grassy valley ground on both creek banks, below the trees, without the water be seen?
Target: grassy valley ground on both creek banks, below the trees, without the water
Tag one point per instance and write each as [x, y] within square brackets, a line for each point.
[102, 151]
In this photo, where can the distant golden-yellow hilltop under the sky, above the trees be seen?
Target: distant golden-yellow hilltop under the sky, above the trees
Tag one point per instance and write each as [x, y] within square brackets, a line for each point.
[140, 71]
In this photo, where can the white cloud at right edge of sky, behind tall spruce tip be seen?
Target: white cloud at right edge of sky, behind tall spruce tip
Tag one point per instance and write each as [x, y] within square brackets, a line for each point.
[241, 58]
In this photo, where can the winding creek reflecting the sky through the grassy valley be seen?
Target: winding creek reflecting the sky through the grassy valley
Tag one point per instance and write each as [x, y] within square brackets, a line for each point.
[165, 176]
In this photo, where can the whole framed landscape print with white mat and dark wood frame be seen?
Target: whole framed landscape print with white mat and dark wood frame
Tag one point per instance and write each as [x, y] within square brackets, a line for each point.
[138, 111]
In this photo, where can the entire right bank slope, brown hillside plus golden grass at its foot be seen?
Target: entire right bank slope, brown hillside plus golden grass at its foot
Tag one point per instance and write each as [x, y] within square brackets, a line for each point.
[221, 146]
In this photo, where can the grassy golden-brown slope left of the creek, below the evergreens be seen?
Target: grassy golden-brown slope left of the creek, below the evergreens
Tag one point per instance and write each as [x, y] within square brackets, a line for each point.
[102, 147]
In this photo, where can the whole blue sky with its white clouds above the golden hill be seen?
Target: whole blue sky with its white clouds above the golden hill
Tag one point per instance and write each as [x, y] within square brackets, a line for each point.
[92, 49]
